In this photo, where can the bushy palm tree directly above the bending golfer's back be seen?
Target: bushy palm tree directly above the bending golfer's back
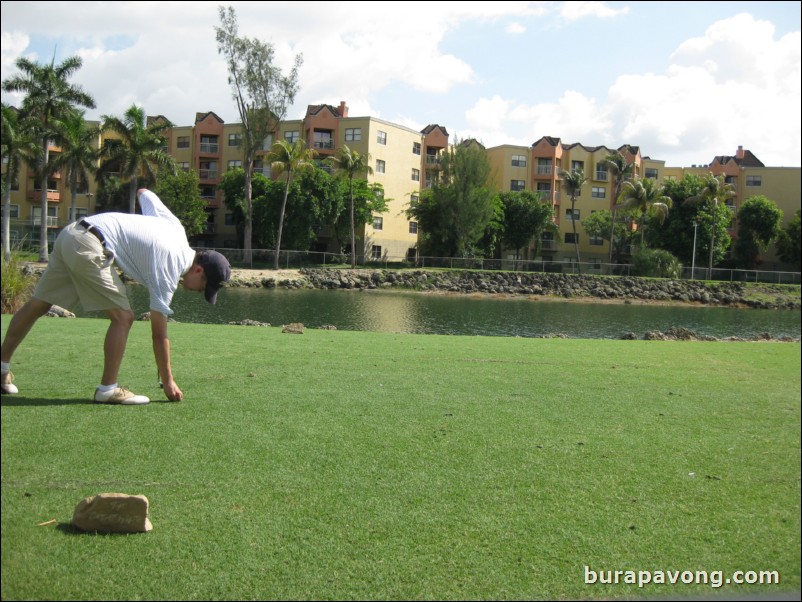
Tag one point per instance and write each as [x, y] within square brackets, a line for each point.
[141, 149]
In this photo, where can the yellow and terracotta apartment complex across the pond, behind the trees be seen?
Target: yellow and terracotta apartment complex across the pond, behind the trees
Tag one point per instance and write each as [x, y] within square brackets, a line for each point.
[404, 161]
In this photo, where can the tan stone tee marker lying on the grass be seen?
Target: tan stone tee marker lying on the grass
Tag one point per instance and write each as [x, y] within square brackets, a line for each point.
[113, 513]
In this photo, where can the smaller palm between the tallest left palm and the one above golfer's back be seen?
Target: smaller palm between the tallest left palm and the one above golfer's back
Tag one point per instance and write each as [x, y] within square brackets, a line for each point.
[79, 155]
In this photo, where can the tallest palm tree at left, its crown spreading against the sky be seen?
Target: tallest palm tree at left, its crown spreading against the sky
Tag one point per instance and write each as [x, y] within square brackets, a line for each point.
[48, 96]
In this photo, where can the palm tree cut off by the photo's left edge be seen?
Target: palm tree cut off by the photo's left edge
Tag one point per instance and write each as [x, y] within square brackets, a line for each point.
[19, 144]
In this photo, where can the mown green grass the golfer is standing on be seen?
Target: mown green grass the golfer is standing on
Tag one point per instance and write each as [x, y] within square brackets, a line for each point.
[361, 466]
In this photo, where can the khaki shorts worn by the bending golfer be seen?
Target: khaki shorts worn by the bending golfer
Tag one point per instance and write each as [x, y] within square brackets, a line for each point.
[80, 270]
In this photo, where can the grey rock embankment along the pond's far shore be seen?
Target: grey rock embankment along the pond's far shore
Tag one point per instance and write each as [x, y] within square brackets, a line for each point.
[626, 289]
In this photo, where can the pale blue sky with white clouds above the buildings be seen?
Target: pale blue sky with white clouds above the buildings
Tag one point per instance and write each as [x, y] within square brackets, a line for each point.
[684, 81]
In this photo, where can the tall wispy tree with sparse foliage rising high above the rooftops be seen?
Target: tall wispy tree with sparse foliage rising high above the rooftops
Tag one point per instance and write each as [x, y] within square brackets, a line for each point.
[262, 93]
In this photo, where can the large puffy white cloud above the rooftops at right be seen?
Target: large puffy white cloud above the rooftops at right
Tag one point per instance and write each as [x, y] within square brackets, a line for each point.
[704, 104]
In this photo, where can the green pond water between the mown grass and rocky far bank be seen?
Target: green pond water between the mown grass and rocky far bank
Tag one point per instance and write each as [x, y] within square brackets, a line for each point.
[397, 311]
